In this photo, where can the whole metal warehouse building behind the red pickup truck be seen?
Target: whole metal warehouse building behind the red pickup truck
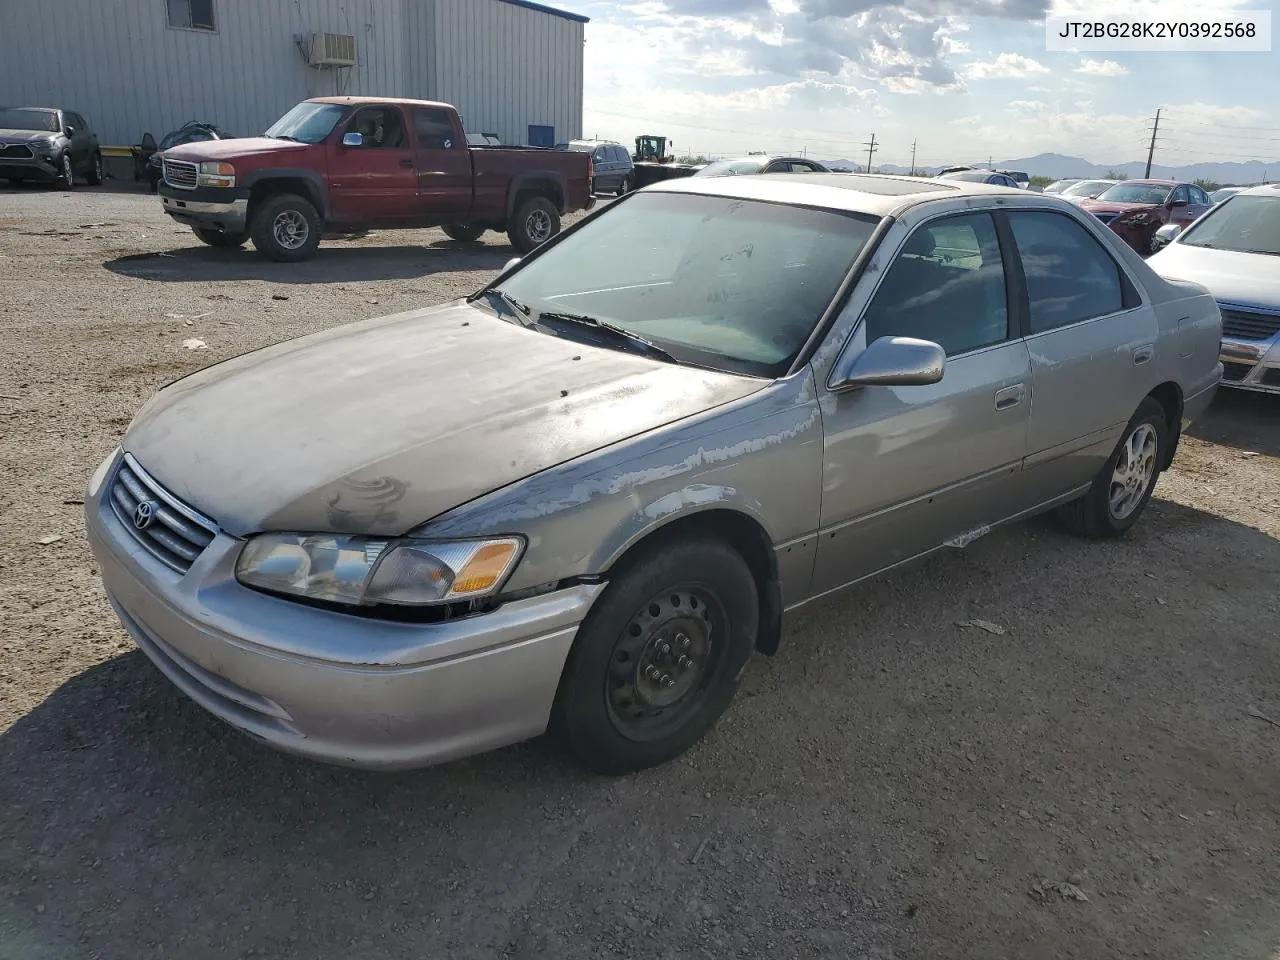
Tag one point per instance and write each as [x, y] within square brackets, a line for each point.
[513, 68]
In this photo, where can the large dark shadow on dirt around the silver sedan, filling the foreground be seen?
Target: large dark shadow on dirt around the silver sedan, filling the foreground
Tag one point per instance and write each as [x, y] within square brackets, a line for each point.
[931, 772]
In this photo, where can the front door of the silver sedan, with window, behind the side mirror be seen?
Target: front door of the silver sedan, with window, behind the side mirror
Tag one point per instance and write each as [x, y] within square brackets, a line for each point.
[908, 469]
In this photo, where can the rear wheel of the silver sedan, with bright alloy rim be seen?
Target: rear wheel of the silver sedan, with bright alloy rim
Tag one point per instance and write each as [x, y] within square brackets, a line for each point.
[1098, 515]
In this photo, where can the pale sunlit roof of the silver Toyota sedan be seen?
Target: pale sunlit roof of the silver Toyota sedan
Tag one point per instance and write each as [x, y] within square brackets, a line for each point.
[879, 195]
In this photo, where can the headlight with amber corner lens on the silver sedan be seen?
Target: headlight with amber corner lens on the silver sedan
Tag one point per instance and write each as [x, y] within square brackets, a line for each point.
[367, 572]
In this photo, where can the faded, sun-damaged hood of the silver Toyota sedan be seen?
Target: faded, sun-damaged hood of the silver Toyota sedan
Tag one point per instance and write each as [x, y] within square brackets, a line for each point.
[382, 426]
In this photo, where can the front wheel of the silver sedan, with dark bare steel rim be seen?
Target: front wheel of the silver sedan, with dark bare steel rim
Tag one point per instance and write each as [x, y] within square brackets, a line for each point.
[697, 598]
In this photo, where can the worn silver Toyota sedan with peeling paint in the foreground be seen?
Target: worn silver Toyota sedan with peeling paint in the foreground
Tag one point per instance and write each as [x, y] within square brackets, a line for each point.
[583, 497]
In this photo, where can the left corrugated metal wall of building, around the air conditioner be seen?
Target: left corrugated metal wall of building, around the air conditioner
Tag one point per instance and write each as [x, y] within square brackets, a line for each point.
[118, 62]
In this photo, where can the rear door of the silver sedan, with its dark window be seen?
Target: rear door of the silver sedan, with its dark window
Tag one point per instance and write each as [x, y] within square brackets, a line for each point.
[1091, 342]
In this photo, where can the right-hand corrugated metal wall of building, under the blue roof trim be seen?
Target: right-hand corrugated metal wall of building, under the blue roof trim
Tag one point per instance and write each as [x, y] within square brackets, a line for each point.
[506, 67]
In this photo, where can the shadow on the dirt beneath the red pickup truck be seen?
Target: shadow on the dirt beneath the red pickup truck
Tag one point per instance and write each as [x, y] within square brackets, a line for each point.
[337, 263]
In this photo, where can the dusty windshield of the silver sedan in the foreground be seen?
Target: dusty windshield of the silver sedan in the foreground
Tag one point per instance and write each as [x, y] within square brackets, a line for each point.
[716, 282]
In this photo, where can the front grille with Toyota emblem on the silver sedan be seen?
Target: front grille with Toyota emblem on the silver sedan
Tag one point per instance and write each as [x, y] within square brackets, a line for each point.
[168, 528]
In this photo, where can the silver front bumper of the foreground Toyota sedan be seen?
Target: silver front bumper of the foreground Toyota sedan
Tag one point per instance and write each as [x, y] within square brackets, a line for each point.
[333, 687]
